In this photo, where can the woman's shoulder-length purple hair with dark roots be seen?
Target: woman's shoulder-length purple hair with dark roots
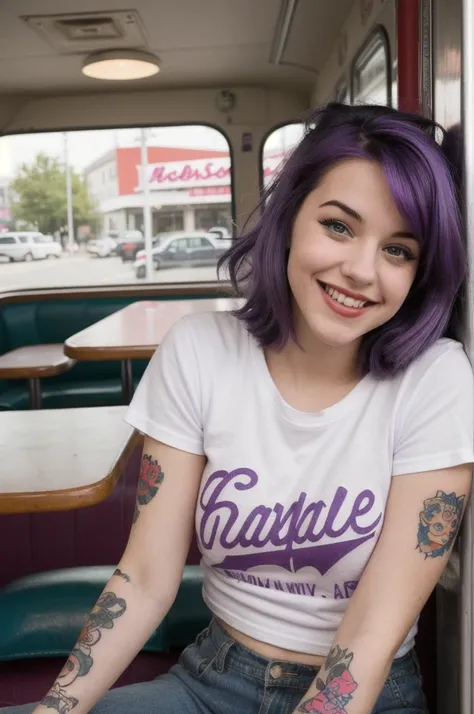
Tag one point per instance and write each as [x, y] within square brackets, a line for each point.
[420, 179]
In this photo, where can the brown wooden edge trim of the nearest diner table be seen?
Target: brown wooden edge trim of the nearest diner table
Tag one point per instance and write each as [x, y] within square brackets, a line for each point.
[71, 498]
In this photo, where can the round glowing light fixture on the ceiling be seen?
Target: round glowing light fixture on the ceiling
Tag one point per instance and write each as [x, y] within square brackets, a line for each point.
[120, 65]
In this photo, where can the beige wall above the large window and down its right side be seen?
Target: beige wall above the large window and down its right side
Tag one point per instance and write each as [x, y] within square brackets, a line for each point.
[256, 111]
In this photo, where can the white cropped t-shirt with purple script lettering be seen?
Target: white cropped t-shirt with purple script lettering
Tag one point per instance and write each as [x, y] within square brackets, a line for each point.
[291, 503]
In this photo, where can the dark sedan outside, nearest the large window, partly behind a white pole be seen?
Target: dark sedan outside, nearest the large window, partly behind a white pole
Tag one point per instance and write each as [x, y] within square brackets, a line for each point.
[183, 249]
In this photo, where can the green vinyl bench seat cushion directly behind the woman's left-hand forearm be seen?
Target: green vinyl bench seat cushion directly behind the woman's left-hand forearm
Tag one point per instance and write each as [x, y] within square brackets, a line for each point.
[41, 615]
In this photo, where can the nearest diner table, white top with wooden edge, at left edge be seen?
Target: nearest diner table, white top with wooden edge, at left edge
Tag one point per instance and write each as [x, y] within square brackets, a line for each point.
[62, 459]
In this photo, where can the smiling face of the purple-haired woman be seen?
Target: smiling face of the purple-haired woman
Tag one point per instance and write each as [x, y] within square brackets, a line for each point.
[352, 258]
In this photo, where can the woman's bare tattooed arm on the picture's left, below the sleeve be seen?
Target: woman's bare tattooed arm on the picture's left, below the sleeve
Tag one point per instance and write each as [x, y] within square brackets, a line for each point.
[144, 585]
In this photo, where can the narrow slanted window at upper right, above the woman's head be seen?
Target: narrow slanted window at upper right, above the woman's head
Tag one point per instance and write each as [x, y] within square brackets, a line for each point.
[371, 80]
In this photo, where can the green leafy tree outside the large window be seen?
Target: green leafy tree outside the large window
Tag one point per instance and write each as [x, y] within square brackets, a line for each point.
[39, 195]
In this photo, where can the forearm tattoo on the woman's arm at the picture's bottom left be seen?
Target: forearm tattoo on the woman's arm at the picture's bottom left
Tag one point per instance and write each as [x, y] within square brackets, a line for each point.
[108, 608]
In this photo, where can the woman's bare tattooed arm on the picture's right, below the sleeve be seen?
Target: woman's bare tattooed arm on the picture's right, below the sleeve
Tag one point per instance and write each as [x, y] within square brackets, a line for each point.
[422, 518]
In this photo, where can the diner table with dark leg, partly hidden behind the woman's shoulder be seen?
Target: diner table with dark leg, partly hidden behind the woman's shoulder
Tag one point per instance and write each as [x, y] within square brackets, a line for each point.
[135, 332]
